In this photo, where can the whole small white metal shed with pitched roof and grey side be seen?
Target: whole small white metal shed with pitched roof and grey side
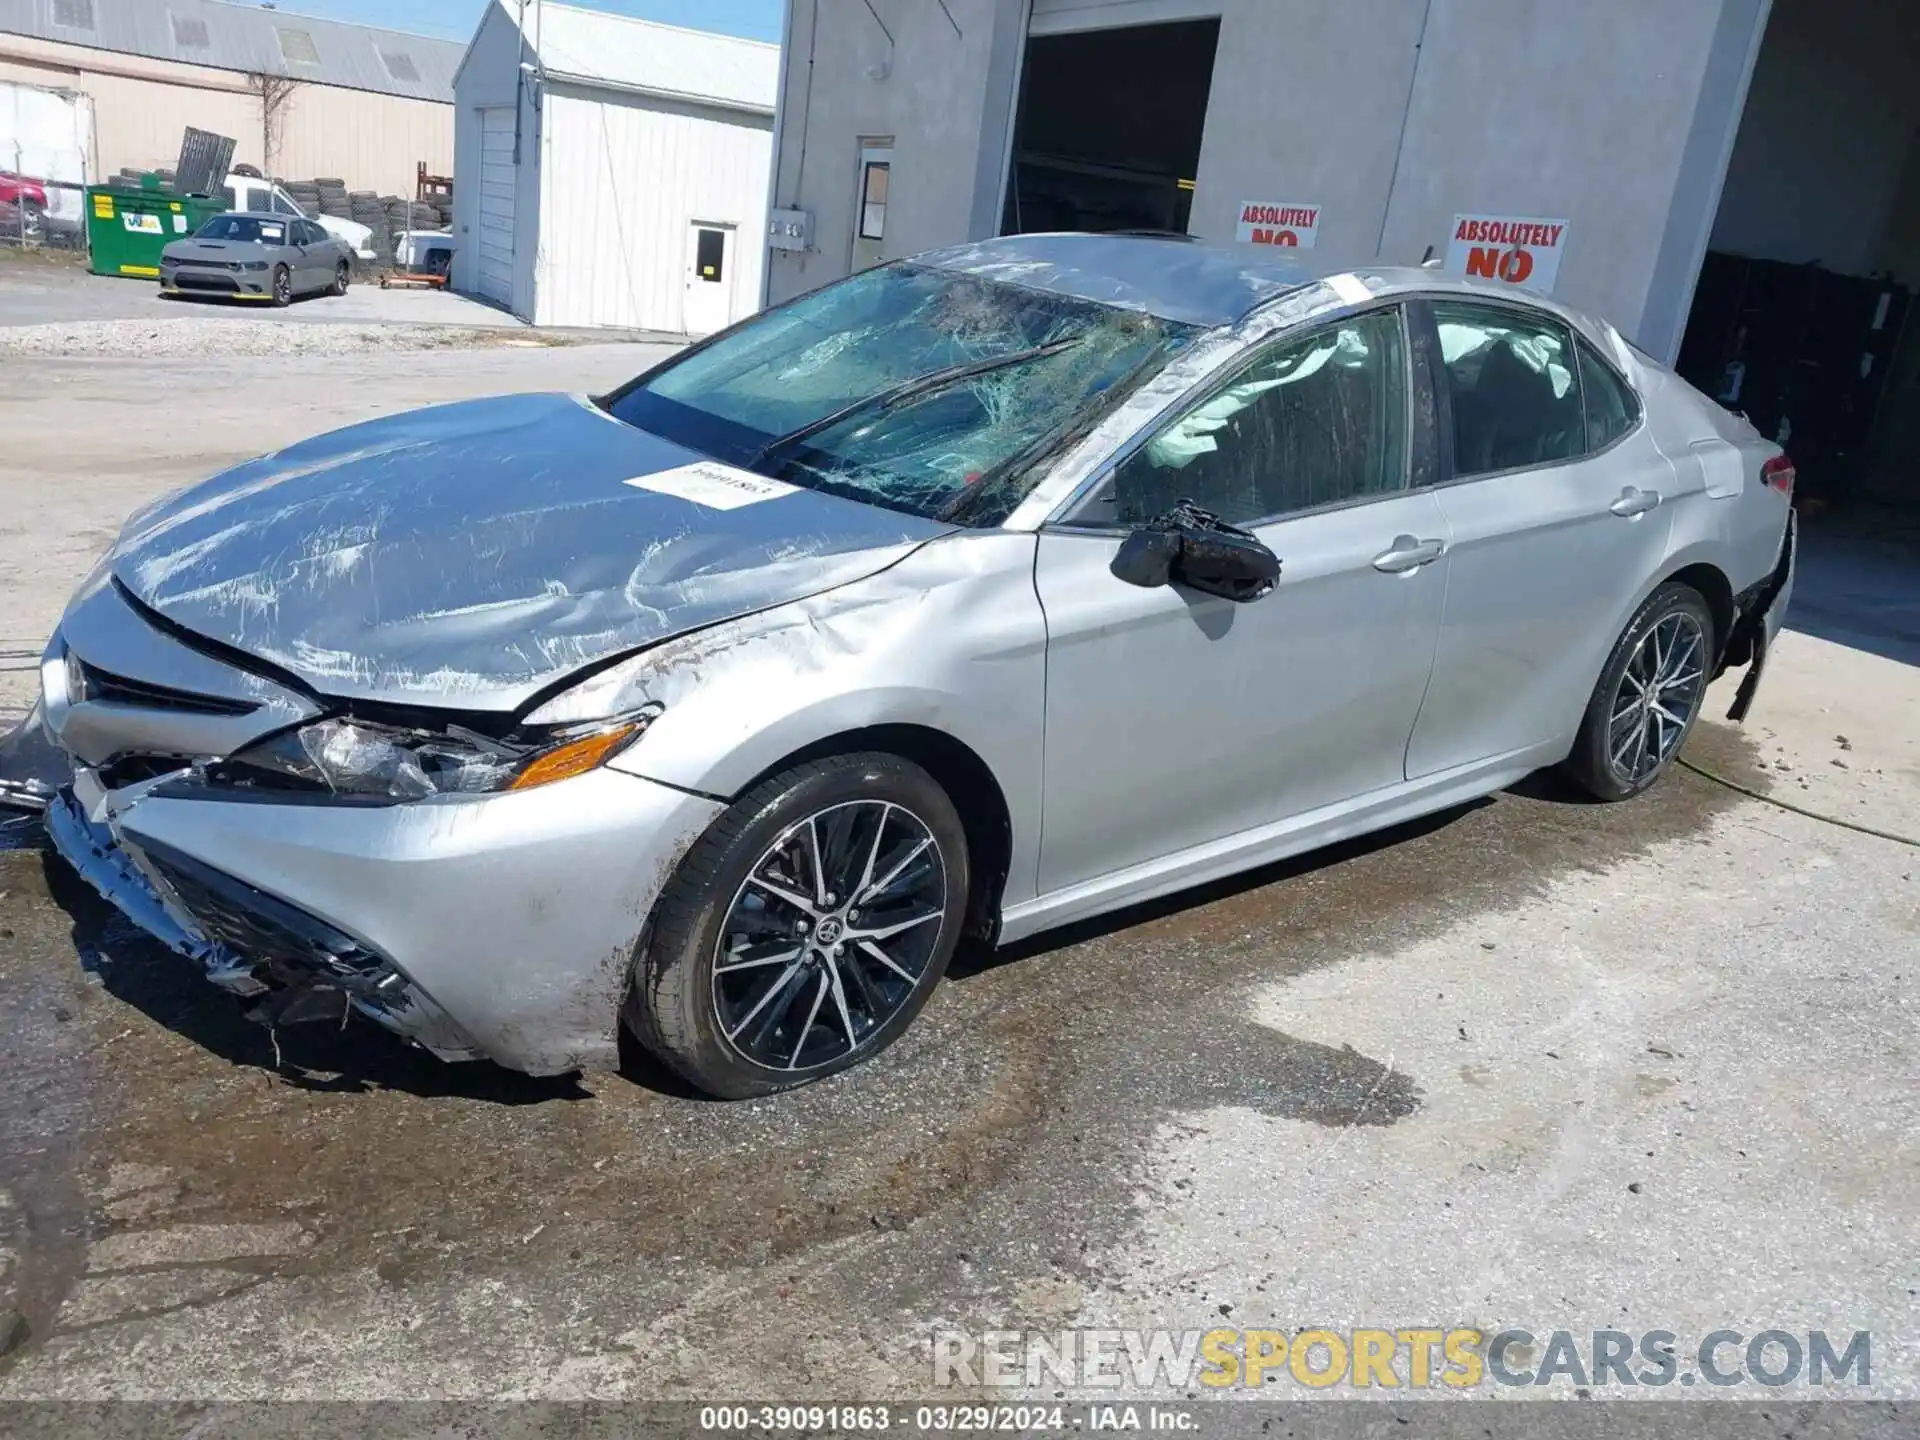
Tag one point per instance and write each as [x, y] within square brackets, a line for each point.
[612, 172]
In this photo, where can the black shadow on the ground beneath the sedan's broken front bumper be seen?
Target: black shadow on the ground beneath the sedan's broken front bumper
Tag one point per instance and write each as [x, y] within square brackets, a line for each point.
[345, 1057]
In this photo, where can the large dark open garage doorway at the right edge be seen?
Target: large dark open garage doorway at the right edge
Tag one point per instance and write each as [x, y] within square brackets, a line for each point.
[1802, 316]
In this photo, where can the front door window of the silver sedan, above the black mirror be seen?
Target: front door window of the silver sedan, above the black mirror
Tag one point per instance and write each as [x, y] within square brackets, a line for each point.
[1312, 421]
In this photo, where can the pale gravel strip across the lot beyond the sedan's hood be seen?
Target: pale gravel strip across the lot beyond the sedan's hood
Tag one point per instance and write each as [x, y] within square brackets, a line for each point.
[208, 337]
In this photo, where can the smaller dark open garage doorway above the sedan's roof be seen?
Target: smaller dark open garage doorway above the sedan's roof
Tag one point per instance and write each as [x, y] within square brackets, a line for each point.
[1109, 130]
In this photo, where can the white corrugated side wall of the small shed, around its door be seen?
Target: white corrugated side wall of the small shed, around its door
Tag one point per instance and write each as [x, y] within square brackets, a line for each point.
[623, 183]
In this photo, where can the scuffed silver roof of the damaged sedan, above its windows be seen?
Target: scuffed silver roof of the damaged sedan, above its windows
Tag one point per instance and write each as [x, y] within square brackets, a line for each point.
[1193, 281]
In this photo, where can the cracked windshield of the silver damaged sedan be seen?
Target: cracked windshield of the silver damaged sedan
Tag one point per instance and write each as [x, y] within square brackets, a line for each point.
[905, 387]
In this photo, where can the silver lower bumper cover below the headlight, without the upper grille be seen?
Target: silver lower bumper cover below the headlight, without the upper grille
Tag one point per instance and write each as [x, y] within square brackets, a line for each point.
[494, 928]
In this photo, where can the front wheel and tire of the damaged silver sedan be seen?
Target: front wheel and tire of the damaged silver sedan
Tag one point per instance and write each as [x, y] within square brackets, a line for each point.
[775, 1022]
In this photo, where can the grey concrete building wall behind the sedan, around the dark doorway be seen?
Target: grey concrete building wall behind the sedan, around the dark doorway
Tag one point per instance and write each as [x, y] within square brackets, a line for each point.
[1618, 118]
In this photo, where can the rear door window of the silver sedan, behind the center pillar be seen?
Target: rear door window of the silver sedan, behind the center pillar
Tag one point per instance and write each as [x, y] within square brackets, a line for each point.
[1512, 381]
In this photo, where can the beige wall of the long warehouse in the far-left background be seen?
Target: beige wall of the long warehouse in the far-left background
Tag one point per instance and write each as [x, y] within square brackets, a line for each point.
[141, 108]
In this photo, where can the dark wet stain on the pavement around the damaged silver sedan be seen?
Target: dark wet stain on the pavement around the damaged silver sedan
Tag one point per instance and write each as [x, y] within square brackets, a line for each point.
[1026, 1097]
